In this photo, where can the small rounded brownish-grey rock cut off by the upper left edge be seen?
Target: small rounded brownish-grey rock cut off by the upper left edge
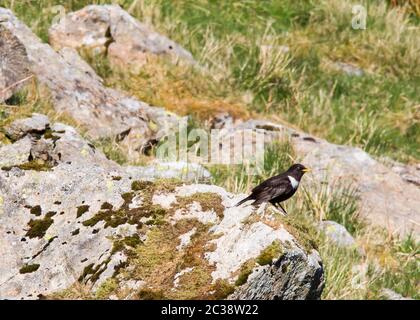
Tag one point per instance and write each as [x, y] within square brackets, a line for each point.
[14, 64]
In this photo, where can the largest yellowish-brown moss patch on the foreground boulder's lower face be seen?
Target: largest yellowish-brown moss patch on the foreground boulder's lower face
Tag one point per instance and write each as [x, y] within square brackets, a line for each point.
[157, 261]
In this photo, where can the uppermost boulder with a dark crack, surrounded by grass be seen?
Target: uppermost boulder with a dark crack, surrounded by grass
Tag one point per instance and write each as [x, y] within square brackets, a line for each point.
[111, 30]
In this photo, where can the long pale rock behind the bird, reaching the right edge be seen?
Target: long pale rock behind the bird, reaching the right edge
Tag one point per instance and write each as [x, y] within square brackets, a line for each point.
[387, 197]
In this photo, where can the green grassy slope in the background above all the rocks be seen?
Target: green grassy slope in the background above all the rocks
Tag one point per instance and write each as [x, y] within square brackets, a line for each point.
[242, 44]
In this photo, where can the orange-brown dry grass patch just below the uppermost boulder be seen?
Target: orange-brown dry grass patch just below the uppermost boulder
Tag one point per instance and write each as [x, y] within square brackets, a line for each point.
[182, 89]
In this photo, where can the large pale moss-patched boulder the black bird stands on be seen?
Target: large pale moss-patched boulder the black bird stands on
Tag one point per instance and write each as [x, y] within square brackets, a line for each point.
[71, 217]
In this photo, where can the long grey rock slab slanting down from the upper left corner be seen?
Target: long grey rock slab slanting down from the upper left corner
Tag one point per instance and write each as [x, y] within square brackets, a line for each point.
[77, 91]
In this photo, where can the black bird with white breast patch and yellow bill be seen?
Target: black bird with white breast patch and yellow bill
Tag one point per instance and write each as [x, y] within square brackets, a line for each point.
[278, 188]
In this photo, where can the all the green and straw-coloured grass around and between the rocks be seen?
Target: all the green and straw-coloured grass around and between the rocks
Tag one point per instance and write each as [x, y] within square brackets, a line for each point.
[248, 72]
